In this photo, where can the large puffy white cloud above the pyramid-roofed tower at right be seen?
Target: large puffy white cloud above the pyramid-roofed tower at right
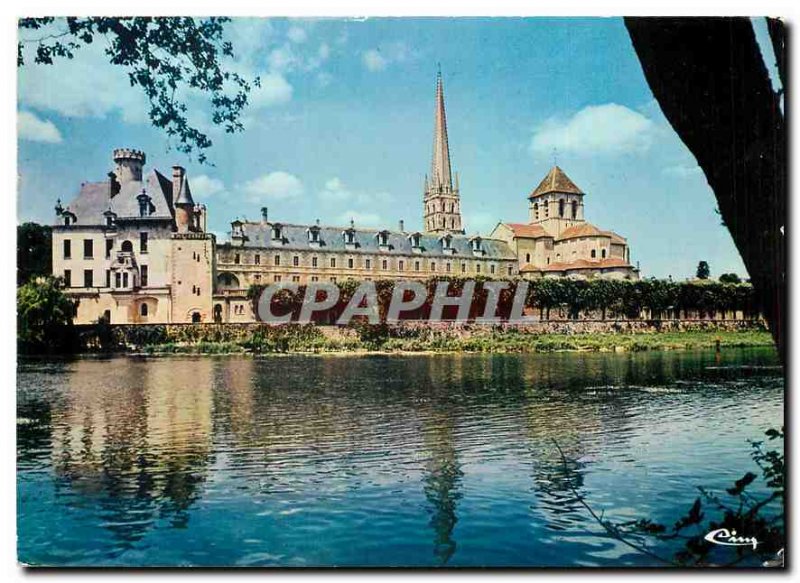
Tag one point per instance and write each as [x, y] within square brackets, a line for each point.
[596, 129]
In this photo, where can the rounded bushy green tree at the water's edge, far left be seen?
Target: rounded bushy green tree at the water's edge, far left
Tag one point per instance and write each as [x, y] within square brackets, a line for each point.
[44, 316]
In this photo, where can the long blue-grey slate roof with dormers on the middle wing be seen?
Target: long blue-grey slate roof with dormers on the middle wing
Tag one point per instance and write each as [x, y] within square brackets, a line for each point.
[295, 237]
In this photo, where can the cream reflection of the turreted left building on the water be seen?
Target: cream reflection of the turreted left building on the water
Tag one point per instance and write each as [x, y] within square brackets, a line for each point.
[140, 447]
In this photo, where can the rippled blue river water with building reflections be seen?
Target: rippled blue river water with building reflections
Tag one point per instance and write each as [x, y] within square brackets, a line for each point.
[379, 460]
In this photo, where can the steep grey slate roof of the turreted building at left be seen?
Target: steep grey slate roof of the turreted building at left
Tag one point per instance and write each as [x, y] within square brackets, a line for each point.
[93, 200]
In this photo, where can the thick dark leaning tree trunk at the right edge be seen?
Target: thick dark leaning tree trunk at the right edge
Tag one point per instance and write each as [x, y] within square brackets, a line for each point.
[708, 76]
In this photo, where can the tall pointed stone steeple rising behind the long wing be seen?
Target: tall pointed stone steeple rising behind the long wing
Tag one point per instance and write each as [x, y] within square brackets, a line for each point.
[442, 212]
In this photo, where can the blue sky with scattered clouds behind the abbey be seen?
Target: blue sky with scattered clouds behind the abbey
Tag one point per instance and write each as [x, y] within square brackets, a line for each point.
[342, 127]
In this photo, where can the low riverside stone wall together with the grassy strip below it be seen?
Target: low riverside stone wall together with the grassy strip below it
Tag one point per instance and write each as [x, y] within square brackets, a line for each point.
[409, 336]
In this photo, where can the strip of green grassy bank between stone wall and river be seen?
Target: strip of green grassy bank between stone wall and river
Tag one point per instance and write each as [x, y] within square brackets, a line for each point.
[287, 340]
